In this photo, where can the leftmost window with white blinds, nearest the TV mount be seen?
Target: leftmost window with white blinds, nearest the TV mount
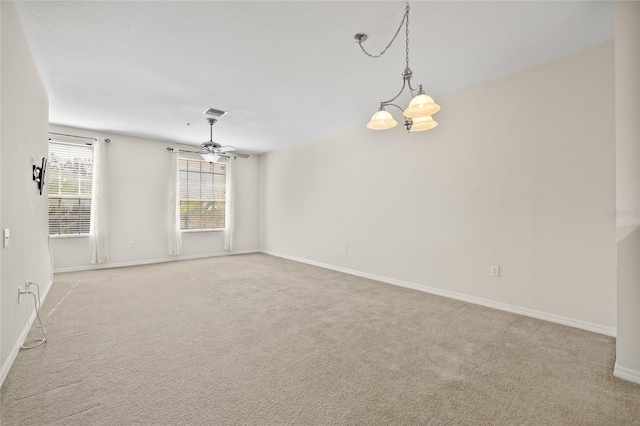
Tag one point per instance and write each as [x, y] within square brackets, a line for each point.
[70, 174]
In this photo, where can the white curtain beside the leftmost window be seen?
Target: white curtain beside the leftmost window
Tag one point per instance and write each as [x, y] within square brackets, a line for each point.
[98, 231]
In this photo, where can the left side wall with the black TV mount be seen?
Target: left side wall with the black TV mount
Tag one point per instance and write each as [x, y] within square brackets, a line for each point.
[23, 135]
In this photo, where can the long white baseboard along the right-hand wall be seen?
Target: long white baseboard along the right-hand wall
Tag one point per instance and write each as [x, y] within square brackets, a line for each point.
[584, 325]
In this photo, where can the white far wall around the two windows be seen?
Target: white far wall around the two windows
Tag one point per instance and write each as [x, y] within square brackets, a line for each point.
[138, 180]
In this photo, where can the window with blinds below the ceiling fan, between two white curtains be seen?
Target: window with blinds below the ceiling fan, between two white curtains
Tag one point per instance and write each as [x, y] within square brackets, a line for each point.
[202, 194]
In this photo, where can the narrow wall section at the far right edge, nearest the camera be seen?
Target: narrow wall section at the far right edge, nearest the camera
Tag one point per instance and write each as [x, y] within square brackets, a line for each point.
[627, 72]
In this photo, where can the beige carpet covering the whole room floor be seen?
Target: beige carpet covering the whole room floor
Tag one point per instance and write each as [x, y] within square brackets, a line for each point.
[258, 340]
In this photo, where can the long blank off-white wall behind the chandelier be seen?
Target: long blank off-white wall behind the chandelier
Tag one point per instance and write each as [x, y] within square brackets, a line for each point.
[518, 174]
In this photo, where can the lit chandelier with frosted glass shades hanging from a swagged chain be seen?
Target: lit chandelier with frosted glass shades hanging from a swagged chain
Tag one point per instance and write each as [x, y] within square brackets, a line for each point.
[417, 116]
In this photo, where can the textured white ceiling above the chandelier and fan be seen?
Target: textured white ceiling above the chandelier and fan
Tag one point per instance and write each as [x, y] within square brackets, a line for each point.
[285, 71]
